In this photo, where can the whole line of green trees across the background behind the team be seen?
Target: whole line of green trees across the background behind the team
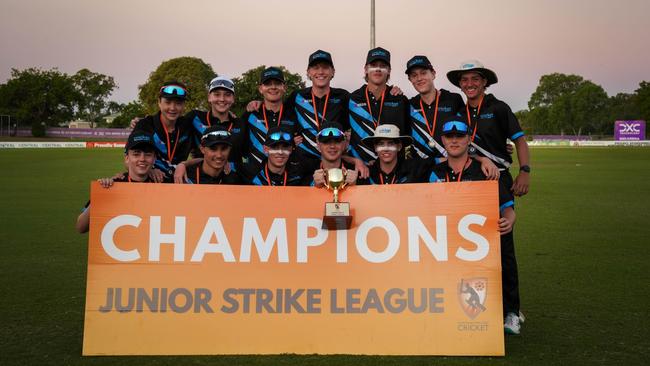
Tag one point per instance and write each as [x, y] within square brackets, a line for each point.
[561, 104]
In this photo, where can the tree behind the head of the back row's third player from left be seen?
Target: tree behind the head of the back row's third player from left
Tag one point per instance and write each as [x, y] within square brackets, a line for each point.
[246, 86]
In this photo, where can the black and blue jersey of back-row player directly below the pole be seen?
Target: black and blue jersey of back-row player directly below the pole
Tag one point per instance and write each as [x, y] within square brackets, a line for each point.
[388, 109]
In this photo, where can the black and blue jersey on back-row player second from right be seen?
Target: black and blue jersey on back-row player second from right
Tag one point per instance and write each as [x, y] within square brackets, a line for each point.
[429, 124]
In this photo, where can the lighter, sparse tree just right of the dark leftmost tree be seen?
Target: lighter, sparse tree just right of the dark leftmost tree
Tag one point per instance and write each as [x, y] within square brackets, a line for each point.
[93, 90]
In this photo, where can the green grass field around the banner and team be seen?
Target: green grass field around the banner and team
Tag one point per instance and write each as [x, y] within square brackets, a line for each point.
[582, 244]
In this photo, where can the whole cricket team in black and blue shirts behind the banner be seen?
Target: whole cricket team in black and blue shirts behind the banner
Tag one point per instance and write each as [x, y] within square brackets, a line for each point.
[374, 134]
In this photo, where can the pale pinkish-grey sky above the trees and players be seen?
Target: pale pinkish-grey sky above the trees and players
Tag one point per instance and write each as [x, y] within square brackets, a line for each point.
[602, 40]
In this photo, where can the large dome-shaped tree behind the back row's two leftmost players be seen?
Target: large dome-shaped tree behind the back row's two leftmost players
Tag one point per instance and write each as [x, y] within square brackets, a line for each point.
[192, 71]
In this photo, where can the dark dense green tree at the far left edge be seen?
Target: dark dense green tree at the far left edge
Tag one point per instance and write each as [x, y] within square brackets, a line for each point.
[39, 98]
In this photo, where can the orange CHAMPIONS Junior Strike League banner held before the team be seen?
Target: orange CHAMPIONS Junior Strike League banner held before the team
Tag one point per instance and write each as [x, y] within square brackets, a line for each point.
[199, 269]
